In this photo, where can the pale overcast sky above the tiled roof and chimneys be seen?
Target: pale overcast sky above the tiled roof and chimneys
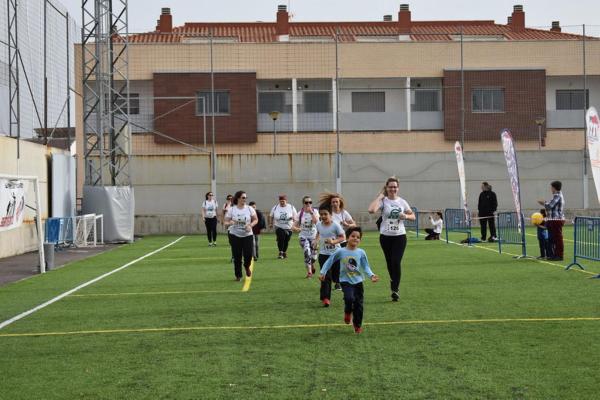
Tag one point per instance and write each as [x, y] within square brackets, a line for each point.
[538, 13]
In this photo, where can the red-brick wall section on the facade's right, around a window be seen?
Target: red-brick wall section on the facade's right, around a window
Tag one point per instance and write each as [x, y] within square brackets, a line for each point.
[524, 102]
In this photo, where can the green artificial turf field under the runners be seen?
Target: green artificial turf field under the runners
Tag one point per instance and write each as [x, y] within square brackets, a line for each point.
[470, 324]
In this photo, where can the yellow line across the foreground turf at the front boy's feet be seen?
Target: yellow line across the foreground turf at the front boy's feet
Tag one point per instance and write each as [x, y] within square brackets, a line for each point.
[300, 326]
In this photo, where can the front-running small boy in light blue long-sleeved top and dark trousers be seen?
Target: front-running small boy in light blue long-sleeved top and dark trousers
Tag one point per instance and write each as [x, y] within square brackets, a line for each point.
[353, 265]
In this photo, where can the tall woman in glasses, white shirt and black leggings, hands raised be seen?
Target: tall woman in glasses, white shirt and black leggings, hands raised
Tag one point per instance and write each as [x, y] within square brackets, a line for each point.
[394, 210]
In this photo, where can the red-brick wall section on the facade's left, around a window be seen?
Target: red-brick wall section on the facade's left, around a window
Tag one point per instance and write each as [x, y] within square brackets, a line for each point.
[180, 120]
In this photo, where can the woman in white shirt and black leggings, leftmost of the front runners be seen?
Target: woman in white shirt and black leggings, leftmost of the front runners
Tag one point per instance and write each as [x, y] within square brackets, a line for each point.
[240, 219]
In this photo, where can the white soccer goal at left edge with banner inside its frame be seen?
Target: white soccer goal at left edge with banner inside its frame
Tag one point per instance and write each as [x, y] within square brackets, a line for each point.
[16, 197]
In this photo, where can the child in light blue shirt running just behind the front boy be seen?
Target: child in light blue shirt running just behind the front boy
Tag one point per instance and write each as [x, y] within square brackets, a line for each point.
[329, 236]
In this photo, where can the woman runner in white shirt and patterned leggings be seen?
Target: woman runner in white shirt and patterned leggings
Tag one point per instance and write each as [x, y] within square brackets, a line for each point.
[306, 225]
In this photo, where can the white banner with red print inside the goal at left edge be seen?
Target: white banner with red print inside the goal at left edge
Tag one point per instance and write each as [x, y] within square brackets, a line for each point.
[12, 203]
